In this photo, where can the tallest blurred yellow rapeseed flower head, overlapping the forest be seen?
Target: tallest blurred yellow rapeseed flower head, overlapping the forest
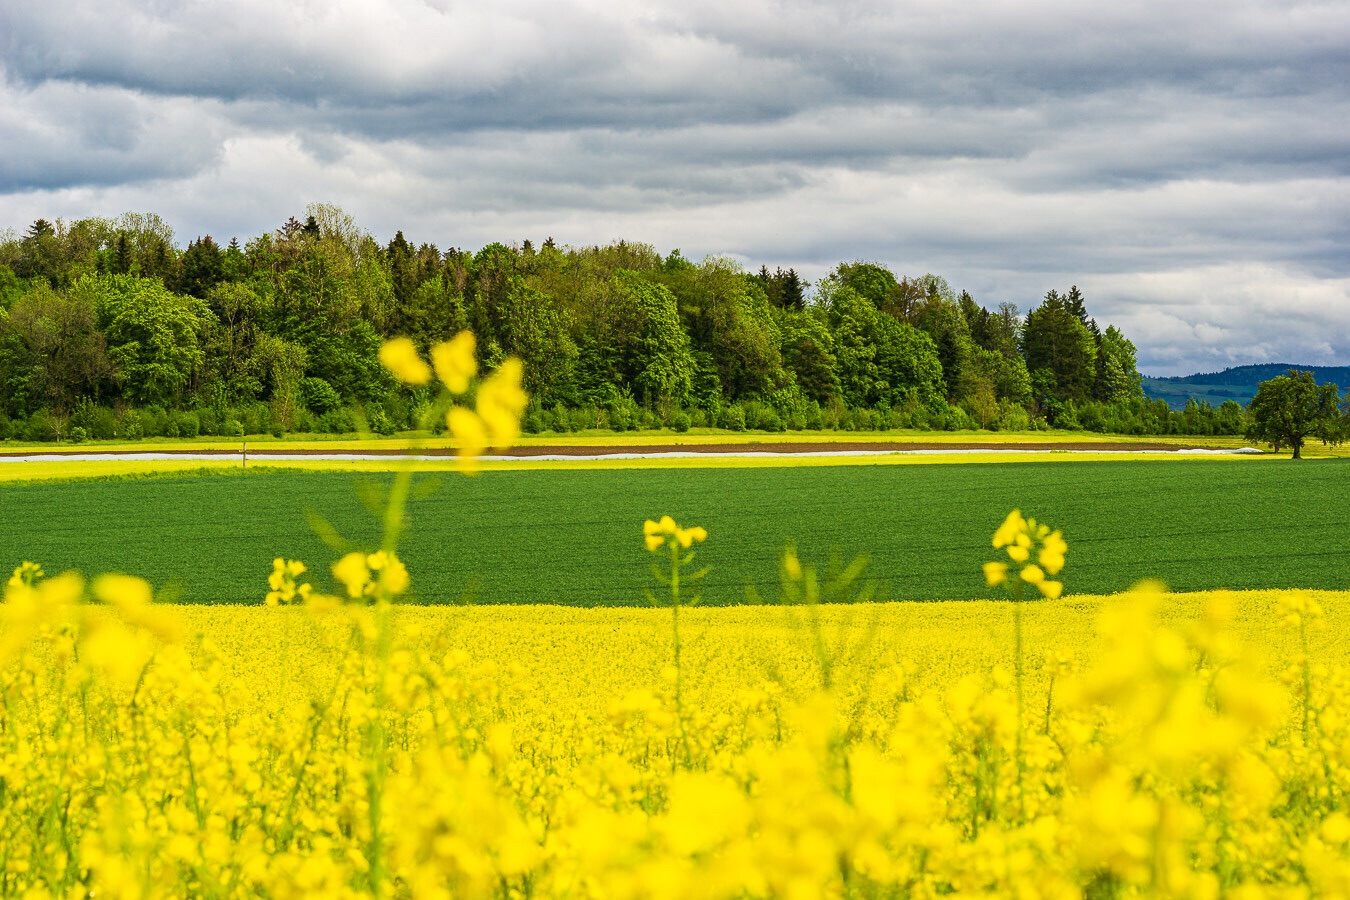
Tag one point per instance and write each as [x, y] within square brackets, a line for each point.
[500, 403]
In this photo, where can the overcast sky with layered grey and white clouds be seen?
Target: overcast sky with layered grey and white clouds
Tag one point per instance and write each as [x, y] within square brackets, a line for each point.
[1186, 164]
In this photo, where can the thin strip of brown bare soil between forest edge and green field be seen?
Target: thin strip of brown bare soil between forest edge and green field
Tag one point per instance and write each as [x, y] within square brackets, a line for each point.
[600, 450]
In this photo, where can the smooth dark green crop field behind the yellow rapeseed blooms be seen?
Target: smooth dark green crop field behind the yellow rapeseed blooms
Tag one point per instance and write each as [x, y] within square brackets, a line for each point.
[574, 538]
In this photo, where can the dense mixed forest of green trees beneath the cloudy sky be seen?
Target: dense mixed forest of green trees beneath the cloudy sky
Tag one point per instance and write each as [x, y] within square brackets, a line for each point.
[109, 329]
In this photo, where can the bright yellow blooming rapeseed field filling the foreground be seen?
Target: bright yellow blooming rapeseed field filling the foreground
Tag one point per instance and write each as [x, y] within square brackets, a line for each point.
[399, 752]
